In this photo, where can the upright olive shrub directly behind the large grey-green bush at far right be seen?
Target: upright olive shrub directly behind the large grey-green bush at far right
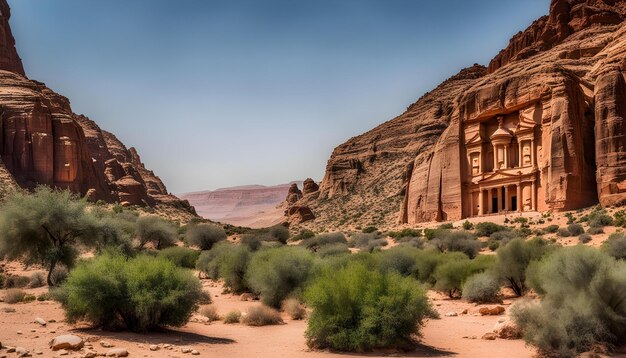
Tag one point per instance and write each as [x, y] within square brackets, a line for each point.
[514, 258]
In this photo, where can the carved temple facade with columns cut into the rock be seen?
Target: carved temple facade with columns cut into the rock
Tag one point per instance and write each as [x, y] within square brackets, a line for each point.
[501, 171]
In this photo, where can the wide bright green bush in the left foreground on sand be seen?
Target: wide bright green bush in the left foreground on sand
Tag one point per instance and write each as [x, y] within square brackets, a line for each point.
[138, 294]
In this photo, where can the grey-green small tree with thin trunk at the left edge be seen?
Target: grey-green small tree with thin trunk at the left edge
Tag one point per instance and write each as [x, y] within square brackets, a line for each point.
[46, 227]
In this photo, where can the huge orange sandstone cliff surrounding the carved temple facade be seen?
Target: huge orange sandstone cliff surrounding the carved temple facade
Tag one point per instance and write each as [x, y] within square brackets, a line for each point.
[564, 77]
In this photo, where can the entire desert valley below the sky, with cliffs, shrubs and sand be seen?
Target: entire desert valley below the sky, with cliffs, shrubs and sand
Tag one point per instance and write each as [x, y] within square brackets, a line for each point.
[487, 220]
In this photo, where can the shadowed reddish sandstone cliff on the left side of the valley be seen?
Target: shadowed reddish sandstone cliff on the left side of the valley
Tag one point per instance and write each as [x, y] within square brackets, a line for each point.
[43, 142]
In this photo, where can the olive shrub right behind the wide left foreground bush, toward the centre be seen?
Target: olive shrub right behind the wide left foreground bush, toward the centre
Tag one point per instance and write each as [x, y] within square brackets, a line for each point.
[229, 262]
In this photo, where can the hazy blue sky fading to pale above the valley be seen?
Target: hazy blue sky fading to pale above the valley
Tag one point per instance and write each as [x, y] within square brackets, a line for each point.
[232, 92]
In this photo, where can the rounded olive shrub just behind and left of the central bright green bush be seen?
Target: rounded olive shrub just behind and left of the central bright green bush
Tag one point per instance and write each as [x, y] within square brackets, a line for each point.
[277, 273]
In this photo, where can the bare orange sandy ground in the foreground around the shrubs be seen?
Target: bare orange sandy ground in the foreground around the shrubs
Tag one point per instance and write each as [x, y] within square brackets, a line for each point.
[449, 336]
